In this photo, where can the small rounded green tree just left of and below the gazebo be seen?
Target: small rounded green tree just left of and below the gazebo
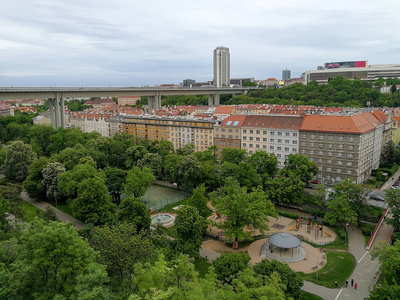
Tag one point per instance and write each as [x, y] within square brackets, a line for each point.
[229, 265]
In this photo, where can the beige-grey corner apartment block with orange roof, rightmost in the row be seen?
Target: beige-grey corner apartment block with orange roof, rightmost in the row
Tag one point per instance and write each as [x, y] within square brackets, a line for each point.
[341, 146]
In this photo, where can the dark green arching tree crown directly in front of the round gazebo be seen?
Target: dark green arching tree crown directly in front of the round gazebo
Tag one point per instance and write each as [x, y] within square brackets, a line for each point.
[289, 278]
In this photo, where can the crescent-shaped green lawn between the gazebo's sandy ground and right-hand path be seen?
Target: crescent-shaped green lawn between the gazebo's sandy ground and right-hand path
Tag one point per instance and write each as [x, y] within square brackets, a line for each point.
[339, 267]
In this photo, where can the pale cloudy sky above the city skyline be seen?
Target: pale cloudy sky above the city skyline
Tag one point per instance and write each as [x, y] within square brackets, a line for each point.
[135, 43]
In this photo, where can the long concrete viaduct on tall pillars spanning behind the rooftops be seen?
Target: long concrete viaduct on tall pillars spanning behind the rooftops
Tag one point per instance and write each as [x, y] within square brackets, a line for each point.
[57, 95]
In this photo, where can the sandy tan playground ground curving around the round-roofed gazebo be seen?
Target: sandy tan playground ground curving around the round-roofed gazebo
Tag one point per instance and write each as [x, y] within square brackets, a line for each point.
[305, 229]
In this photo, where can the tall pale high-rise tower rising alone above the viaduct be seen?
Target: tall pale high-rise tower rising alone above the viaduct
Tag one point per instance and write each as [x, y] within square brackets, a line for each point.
[222, 75]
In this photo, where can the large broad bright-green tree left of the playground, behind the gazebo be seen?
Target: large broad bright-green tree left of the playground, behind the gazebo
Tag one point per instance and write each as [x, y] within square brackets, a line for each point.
[241, 209]
